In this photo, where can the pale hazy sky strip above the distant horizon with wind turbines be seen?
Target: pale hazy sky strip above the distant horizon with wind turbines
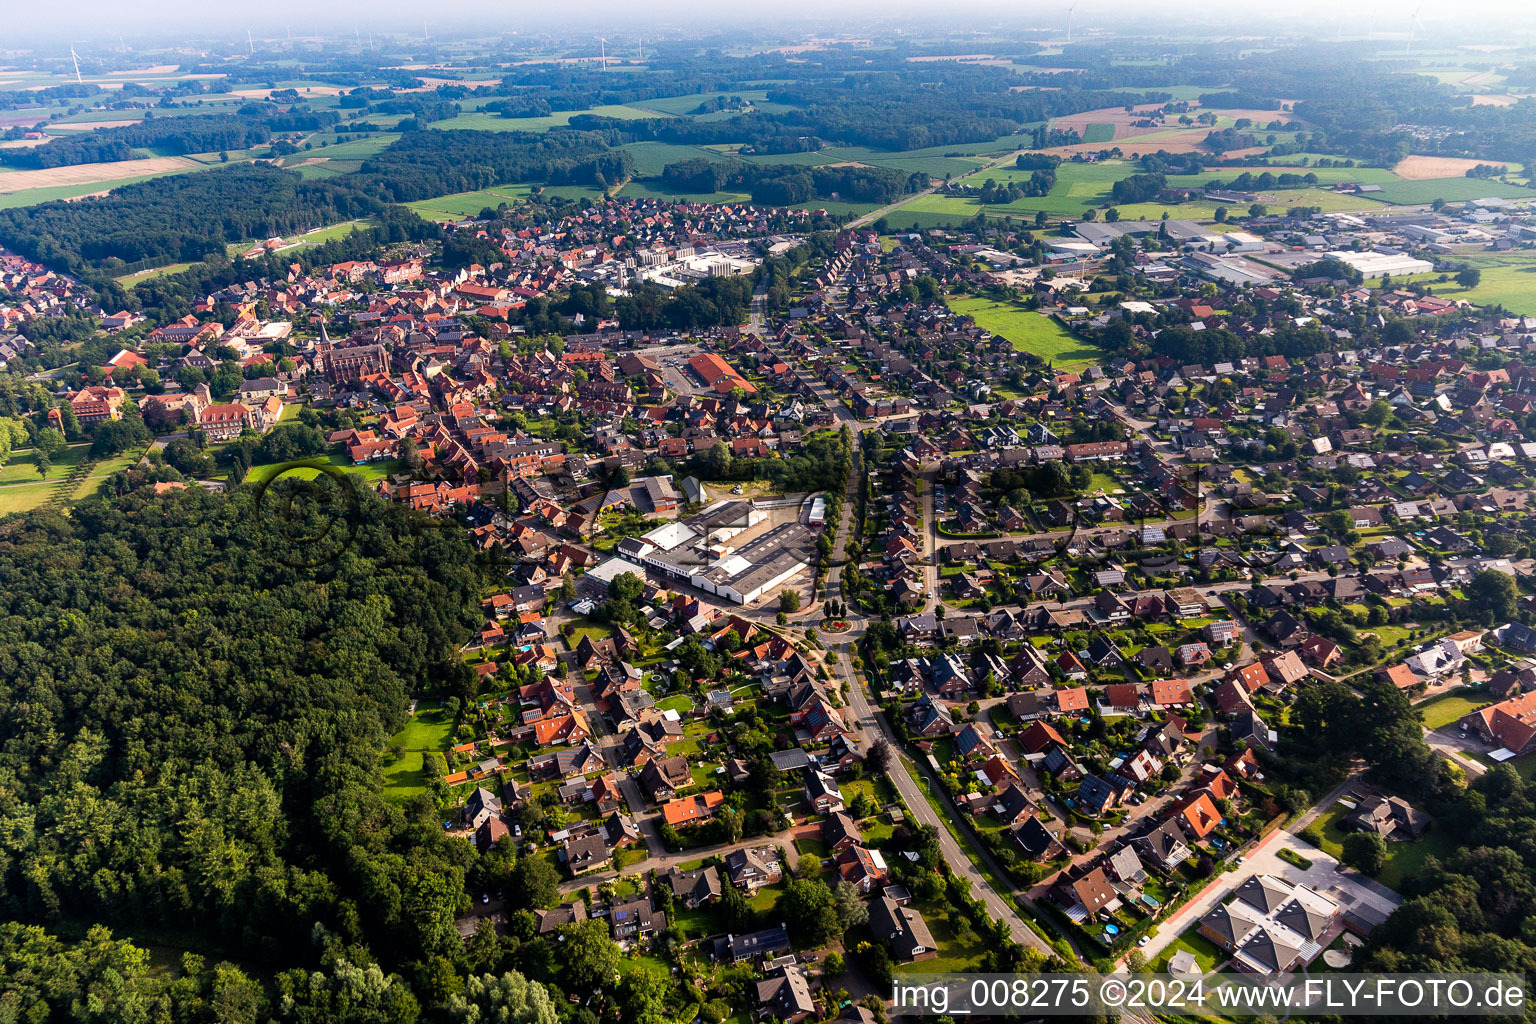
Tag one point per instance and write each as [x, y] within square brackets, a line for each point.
[27, 25]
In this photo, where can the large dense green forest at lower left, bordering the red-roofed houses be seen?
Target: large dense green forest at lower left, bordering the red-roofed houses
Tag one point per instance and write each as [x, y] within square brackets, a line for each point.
[196, 722]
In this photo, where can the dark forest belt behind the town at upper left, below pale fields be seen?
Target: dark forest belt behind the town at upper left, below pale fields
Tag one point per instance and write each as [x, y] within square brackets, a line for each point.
[177, 219]
